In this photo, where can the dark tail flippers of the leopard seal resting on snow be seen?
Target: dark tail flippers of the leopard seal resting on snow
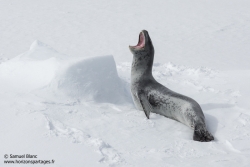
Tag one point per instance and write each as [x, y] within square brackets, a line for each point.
[202, 135]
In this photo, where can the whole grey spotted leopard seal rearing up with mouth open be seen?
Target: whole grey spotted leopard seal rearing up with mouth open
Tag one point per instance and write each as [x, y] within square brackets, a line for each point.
[151, 96]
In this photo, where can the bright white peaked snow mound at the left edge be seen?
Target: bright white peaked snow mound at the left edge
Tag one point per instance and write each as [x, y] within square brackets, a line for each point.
[30, 70]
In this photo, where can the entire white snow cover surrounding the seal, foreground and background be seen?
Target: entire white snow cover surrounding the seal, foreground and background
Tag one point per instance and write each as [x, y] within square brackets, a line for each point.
[63, 99]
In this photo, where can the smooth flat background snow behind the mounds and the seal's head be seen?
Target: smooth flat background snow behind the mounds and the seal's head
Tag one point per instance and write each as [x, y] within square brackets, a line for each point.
[197, 32]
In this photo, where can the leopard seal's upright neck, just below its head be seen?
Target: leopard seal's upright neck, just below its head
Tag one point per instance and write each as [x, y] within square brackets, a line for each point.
[142, 67]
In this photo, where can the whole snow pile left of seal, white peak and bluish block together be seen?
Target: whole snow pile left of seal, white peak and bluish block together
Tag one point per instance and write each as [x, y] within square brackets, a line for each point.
[41, 66]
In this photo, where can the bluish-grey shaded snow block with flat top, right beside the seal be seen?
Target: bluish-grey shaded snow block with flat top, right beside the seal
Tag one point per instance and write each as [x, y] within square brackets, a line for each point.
[93, 79]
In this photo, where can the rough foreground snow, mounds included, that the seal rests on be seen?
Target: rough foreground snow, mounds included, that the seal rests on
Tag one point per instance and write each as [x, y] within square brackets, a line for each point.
[85, 102]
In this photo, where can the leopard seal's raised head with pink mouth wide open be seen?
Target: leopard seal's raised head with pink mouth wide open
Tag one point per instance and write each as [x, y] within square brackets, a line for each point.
[144, 46]
